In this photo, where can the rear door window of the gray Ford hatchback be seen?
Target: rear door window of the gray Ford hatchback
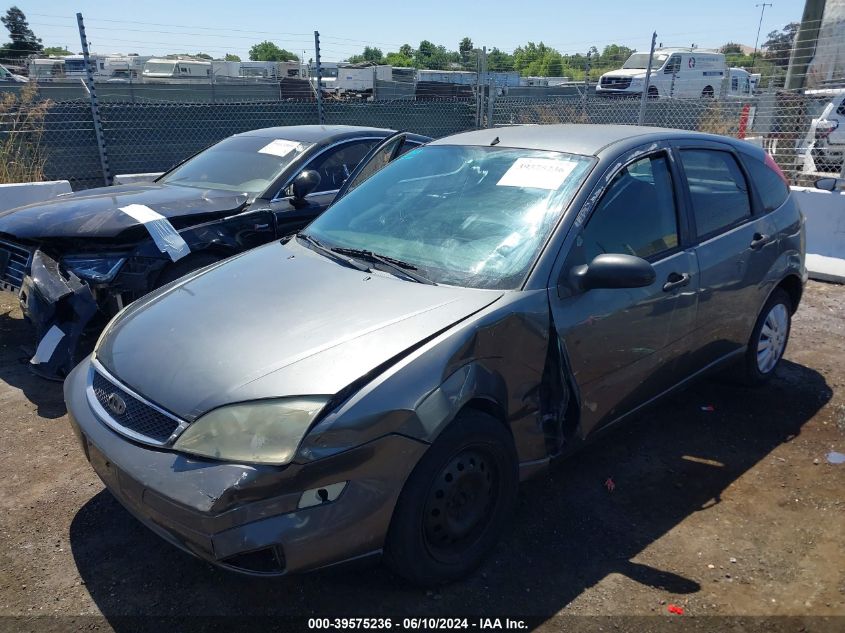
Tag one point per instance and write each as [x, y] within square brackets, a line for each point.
[718, 189]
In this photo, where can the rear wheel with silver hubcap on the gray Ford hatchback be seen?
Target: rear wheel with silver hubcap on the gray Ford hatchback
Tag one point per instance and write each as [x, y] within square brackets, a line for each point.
[771, 332]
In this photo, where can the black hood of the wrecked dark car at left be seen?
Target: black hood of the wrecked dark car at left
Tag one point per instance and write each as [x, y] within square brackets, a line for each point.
[96, 212]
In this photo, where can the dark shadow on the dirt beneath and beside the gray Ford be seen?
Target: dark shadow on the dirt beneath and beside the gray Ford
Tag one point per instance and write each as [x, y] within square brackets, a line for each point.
[569, 532]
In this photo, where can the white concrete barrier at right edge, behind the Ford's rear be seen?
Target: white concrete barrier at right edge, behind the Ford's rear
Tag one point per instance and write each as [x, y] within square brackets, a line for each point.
[825, 213]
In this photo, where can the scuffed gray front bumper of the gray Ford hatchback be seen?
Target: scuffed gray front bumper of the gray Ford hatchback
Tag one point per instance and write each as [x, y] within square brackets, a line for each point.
[247, 517]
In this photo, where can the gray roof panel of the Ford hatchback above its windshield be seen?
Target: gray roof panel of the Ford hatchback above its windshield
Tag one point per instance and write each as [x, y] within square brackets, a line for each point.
[588, 139]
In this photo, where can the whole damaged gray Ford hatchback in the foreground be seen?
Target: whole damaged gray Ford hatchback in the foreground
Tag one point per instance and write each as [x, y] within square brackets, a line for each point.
[379, 383]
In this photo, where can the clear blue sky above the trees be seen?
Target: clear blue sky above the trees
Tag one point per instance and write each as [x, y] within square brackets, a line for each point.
[217, 27]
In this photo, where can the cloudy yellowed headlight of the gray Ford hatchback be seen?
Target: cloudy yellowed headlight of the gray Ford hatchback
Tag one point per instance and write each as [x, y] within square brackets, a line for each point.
[263, 432]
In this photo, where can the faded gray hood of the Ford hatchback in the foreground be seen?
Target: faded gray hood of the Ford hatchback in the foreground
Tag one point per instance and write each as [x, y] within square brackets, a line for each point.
[280, 320]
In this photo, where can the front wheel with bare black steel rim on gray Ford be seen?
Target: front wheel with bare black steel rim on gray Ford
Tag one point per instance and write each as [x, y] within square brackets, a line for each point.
[454, 506]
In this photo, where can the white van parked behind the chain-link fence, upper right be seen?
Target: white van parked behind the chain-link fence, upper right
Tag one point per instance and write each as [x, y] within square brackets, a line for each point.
[675, 72]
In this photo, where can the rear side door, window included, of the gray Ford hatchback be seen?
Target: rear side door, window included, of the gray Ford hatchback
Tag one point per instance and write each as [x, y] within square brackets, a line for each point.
[734, 243]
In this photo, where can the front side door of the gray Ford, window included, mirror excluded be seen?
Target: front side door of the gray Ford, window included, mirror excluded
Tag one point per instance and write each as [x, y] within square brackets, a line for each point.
[626, 346]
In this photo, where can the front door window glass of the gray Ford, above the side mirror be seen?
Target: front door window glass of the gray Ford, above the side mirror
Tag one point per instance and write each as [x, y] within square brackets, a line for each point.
[636, 215]
